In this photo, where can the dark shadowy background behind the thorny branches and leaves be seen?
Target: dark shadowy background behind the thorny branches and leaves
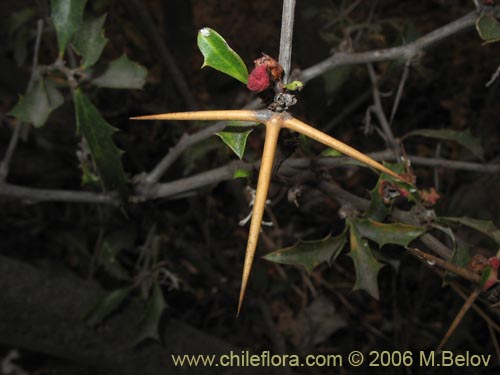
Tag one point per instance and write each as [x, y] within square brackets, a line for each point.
[198, 236]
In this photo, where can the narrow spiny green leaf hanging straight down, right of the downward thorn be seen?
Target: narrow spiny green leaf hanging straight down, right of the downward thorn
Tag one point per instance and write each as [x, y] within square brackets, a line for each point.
[365, 264]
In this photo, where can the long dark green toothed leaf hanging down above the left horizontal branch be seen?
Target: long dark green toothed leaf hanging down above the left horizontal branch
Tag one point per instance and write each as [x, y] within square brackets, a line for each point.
[99, 136]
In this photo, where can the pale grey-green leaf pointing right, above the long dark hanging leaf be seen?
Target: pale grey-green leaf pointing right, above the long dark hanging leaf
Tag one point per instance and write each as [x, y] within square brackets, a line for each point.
[121, 73]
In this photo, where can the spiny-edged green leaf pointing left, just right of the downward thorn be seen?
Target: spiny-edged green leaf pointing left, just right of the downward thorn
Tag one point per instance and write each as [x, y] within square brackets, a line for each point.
[310, 254]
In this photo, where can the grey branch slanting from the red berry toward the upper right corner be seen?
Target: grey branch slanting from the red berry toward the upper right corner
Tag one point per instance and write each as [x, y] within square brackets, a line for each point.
[405, 52]
